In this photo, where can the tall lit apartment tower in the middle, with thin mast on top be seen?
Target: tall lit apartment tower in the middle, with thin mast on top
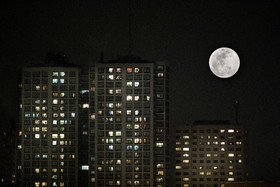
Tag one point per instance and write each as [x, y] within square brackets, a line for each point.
[126, 124]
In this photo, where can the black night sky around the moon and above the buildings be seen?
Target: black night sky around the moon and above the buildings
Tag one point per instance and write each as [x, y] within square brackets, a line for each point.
[181, 32]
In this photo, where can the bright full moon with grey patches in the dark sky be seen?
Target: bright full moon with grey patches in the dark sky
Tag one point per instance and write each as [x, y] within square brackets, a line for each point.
[224, 62]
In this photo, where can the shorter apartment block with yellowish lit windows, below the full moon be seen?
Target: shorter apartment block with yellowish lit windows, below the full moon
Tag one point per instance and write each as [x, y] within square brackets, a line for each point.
[210, 153]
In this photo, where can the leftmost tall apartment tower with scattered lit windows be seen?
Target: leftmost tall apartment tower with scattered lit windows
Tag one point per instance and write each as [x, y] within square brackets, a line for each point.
[48, 125]
